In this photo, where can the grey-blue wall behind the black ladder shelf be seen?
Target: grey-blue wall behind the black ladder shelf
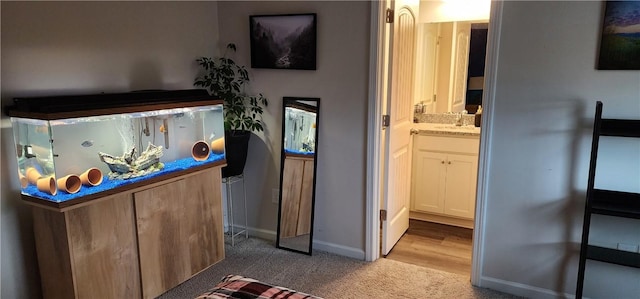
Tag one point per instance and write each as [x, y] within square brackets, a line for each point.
[546, 90]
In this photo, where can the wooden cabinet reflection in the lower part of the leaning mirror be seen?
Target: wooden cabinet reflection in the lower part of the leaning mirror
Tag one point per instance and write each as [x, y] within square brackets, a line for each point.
[297, 194]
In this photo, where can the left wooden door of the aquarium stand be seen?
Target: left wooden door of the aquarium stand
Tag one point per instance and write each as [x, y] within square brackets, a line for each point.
[105, 257]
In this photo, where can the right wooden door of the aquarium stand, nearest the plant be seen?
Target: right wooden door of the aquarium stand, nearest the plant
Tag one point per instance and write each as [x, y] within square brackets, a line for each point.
[179, 230]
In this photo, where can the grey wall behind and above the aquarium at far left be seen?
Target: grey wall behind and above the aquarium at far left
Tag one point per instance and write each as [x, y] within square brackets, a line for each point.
[53, 48]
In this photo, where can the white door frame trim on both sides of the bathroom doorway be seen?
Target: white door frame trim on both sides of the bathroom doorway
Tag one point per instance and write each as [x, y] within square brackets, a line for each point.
[378, 136]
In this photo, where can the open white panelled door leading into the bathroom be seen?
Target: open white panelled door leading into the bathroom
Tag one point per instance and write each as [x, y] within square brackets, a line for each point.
[397, 178]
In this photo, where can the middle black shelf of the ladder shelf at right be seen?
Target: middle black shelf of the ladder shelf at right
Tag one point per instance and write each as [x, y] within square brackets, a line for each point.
[616, 203]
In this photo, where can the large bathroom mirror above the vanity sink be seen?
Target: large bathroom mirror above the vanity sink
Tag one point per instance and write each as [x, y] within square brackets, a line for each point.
[450, 67]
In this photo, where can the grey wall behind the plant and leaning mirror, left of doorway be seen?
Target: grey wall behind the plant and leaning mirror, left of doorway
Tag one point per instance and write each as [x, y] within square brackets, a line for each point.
[341, 83]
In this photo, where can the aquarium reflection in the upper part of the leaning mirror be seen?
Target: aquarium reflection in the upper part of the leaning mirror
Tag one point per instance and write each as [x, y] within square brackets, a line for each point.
[300, 129]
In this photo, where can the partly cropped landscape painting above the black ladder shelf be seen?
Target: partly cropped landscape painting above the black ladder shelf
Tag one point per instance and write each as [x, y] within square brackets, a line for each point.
[620, 42]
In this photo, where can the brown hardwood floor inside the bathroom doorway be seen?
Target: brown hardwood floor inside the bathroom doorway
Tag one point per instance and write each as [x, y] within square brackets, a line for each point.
[436, 246]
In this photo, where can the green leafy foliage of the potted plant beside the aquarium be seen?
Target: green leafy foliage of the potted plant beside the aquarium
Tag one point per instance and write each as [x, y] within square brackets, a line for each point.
[225, 79]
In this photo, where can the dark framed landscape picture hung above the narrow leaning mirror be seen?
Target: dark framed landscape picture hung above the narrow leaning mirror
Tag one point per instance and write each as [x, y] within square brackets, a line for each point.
[283, 41]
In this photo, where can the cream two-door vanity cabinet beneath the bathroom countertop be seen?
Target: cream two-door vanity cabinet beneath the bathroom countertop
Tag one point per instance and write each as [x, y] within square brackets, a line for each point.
[444, 179]
